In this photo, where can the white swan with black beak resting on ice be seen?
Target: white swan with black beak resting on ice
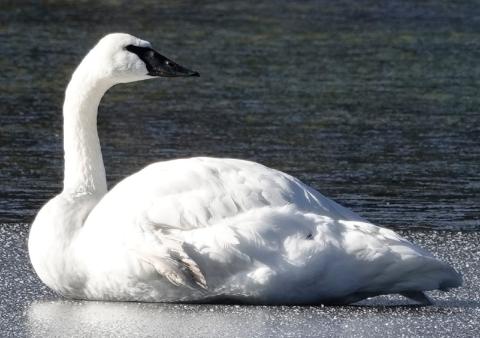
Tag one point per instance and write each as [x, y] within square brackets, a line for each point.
[204, 229]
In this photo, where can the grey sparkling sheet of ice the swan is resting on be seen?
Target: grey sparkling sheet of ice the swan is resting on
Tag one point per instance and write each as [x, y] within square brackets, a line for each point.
[29, 309]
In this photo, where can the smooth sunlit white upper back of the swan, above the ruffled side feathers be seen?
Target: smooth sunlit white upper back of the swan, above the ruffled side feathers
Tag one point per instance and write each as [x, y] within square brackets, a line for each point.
[200, 192]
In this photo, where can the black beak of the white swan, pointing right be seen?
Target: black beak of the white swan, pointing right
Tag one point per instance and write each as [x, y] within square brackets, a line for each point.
[159, 65]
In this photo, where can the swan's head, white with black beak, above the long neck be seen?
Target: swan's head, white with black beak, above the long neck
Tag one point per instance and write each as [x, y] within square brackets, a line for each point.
[124, 58]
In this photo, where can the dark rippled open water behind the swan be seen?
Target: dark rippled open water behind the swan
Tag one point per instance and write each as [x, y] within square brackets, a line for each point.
[374, 104]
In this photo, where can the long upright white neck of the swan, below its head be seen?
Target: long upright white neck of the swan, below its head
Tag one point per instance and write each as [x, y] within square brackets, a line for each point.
[84, 169]
